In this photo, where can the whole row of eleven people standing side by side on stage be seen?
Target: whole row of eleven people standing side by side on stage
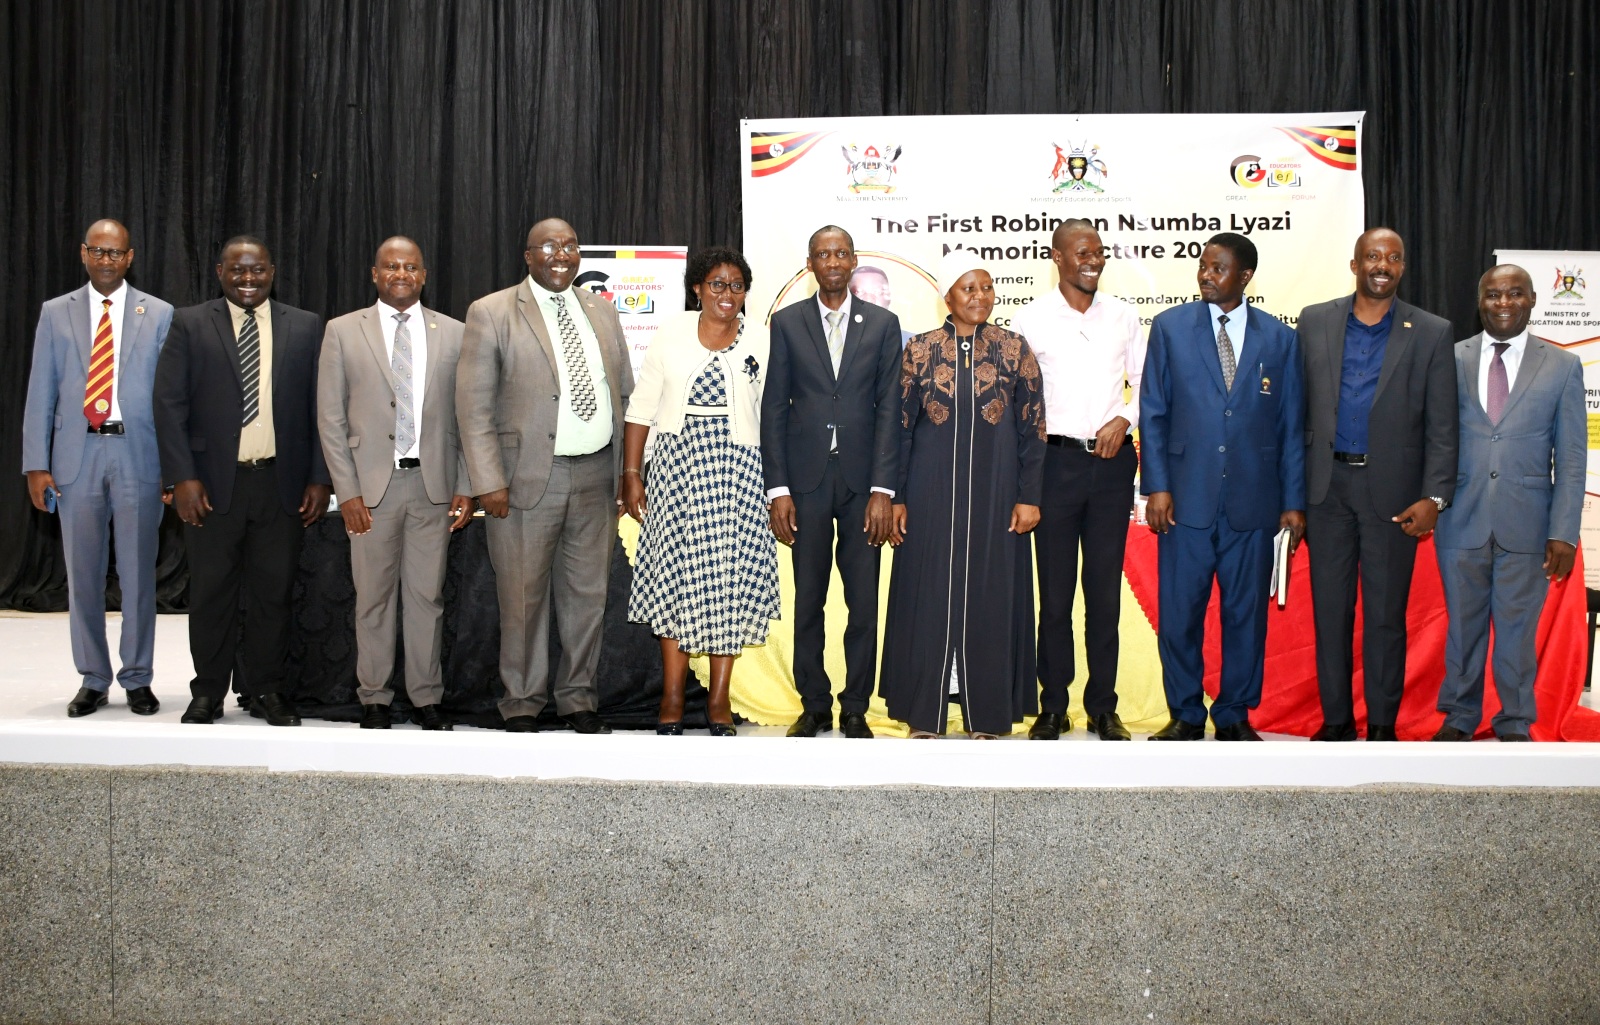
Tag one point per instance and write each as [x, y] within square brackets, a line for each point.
[834, 434]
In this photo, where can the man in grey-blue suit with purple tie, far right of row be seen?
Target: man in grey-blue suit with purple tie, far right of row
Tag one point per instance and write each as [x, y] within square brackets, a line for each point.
[1519, 501]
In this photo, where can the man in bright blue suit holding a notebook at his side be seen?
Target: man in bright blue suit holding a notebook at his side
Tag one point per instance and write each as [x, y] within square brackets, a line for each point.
[1223, 461]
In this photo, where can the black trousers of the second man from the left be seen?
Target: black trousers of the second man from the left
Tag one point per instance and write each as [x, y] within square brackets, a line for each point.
[252, 551]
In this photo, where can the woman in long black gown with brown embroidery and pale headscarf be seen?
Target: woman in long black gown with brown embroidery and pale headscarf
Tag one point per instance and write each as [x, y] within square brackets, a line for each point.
[961, 612]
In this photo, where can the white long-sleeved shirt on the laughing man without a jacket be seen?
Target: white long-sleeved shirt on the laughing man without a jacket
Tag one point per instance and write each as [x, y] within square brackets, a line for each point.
[1092, 362]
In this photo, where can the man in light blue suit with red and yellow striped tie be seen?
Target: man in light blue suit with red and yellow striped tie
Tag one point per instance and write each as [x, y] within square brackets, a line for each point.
[90, 439]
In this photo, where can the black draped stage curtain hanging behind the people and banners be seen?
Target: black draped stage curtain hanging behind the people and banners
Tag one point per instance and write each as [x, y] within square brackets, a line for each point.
[327, 126]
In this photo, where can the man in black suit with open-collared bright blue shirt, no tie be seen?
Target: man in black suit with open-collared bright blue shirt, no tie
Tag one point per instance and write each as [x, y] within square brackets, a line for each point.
[1382, 436]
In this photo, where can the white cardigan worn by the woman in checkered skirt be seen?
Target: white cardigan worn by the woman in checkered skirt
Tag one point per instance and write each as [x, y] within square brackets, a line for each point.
[676, 359]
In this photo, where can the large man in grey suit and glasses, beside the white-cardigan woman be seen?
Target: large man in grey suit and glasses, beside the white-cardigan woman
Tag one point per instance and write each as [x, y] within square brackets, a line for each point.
[540, 396]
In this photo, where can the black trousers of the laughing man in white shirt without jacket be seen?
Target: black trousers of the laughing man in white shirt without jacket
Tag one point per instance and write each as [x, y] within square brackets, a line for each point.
[1086, 506]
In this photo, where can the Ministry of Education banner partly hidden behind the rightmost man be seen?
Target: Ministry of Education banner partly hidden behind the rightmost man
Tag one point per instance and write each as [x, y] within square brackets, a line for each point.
[1569, 314]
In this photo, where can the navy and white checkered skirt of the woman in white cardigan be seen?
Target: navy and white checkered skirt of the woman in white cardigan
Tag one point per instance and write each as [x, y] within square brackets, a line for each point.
[706, 573]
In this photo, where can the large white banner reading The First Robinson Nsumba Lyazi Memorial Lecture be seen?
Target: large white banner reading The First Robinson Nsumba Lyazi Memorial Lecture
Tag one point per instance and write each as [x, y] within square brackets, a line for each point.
[910, 189]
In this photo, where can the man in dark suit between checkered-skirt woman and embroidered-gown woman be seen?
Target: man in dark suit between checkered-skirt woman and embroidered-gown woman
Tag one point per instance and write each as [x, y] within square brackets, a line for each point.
[831, 450]
